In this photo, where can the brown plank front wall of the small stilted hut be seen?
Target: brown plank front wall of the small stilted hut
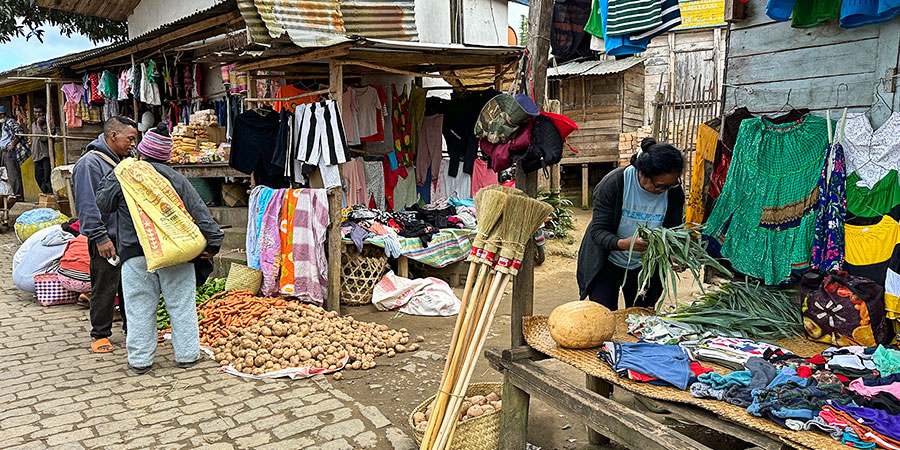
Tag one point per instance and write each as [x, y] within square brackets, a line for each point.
[597, 109]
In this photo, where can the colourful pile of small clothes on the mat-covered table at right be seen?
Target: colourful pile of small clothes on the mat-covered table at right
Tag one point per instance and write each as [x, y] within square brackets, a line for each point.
[851, 393]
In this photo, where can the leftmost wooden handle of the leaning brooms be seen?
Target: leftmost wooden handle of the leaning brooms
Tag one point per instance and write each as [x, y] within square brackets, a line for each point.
[461, 334]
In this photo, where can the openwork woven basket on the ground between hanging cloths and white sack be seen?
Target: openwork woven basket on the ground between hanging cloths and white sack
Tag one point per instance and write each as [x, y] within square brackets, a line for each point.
[359, 275]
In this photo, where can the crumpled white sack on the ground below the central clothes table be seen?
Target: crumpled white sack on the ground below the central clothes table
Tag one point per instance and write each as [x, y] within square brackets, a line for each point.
[422, 296]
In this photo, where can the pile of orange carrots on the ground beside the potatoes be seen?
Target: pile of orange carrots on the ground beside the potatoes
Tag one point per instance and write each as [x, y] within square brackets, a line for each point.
[234, 308]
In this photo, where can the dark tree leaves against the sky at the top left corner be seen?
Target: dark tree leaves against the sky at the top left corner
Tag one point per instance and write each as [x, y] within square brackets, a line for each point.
[19, 19]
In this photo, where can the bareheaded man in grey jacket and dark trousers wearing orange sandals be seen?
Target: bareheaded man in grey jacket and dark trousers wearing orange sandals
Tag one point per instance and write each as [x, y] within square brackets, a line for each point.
[117, 141]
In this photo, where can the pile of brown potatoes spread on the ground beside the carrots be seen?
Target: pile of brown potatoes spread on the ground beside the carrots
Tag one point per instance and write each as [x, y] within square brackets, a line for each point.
[309, 337]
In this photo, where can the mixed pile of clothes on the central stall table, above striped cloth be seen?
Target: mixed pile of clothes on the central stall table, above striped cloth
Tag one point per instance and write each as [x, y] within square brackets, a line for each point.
[422, 222]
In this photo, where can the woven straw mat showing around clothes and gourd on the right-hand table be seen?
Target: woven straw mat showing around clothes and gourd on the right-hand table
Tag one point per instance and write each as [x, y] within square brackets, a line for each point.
[538, 336]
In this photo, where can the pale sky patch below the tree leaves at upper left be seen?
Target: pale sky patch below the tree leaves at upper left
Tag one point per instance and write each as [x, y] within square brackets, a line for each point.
[20, 52]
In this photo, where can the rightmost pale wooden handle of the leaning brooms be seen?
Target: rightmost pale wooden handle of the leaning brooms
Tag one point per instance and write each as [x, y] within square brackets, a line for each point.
[495, 294]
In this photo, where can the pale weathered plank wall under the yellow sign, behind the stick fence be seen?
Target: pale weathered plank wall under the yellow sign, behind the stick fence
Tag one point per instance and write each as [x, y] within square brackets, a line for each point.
[682, 55]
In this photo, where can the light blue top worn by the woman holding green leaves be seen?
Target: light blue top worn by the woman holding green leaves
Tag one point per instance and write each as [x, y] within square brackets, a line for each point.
[639, 208]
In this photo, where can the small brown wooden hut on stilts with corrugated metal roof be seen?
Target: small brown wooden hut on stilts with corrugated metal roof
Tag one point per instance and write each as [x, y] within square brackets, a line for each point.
[605, 98]
